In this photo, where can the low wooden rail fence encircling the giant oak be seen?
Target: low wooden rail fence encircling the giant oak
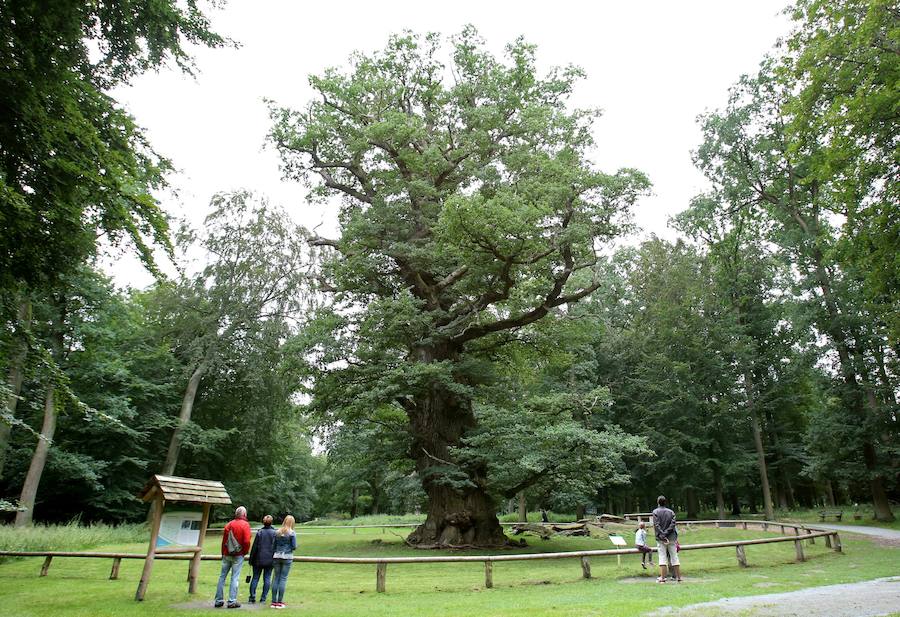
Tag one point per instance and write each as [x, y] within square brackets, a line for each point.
[831, 538]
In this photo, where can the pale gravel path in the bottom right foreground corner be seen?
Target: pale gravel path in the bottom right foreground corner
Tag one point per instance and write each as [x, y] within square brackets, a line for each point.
[866, 599]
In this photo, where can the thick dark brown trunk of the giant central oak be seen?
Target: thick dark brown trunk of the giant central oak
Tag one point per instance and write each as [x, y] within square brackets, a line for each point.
[461, 514]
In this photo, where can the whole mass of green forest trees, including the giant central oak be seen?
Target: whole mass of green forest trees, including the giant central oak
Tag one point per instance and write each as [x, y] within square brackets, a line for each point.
[484, 271]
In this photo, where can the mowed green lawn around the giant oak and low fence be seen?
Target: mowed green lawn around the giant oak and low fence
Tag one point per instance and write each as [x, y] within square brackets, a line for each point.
[80, 587]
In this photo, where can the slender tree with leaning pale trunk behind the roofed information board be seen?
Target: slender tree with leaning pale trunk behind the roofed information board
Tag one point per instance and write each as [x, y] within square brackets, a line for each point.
[255, 276]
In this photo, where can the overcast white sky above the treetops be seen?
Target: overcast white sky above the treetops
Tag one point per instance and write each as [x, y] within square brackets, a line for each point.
[652, 66]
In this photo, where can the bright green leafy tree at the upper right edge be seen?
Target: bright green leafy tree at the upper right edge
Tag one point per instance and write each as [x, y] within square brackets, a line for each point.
[843, 59]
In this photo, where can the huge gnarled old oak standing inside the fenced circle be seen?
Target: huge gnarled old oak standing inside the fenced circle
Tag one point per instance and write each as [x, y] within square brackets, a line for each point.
[469, 211]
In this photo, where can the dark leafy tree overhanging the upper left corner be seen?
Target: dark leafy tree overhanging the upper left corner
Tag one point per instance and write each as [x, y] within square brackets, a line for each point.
[74, 166]
